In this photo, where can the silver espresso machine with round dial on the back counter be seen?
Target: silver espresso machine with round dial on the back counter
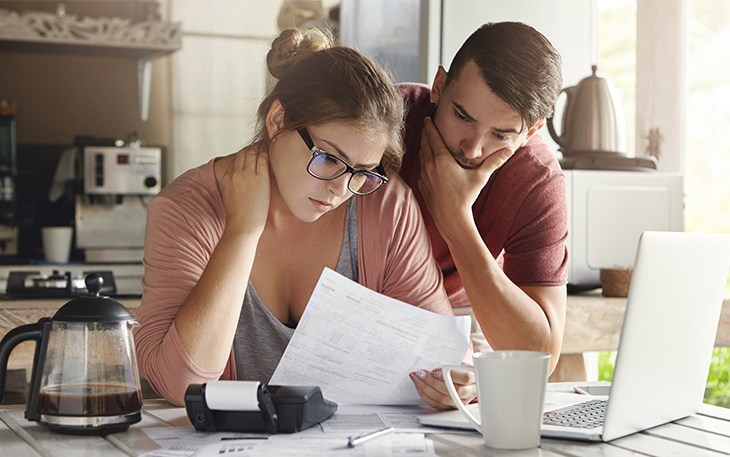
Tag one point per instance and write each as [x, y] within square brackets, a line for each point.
[116, 182]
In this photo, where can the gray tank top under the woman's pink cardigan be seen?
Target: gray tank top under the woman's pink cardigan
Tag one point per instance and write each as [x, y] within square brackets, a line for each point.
[261, 338]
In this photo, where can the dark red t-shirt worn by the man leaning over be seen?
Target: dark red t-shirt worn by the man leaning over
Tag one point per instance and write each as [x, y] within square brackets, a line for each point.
[521, 214]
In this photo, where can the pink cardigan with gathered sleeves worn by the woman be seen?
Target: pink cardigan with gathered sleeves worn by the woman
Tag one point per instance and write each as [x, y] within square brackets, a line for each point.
[185, 222]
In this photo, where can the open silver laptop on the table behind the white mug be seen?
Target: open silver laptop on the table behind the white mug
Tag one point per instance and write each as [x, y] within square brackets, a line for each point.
[672, 313]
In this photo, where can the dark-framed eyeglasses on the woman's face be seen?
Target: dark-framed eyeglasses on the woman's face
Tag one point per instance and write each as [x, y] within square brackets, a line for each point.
[326, 166]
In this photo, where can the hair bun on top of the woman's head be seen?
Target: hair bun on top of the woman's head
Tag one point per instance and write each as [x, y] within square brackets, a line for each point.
[293, 45]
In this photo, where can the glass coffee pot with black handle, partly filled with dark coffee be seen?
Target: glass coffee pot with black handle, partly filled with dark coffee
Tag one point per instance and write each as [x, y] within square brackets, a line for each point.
[84, 378]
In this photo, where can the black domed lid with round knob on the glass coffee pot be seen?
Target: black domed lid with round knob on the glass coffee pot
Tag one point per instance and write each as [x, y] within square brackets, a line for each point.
[93, 307]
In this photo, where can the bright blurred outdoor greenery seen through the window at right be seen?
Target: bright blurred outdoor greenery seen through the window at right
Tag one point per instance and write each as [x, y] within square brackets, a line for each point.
[707, 153]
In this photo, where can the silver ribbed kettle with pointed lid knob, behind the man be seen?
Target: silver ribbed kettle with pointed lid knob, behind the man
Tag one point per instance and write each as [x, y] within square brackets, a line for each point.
[593, 120]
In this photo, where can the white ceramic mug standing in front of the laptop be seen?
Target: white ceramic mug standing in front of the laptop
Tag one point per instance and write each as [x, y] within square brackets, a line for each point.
[511, 387]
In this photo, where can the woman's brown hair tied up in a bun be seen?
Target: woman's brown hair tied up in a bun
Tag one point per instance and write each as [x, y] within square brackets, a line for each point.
[320, 82]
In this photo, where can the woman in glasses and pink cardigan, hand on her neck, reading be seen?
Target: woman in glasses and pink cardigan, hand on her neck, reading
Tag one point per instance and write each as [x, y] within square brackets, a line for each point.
[234, 248]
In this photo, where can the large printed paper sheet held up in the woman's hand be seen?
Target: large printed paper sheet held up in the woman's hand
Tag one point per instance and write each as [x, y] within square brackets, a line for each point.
[359, 346]
